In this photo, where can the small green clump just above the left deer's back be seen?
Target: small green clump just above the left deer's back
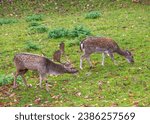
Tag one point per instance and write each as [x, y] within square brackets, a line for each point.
[31, 46]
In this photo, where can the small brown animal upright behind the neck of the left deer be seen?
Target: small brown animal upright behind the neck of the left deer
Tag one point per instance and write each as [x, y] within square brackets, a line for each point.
[57, 54]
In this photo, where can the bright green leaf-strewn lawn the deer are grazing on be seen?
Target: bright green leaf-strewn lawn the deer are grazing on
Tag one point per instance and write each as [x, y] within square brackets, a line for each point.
[121, 85]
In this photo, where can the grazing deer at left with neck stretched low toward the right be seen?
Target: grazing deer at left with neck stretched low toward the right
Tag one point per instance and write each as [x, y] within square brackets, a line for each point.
[43, 65]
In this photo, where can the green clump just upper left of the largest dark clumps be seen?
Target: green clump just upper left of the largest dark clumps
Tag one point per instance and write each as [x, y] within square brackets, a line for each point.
[39, 29]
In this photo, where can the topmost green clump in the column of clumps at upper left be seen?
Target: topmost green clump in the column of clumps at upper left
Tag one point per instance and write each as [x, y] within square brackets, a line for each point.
[34, 17]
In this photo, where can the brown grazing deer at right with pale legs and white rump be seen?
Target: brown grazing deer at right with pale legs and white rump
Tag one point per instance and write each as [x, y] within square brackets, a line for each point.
[105, 46]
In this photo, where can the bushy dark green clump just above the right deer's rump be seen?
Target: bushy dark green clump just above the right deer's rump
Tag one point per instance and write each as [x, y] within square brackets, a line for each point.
[78, 31]
